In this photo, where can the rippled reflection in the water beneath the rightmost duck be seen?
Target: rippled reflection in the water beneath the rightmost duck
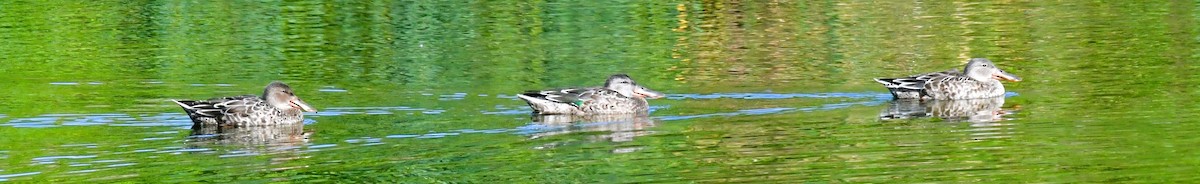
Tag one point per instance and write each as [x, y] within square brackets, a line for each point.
[975, 110]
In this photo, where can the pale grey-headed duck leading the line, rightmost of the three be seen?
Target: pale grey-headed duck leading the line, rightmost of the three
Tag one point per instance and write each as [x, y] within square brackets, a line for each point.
[979, 80]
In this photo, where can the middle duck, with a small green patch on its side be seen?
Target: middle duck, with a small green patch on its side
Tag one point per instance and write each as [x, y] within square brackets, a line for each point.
[620, 96]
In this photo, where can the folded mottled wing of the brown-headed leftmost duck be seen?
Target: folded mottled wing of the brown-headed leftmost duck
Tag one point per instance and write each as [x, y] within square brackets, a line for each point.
[221, 106]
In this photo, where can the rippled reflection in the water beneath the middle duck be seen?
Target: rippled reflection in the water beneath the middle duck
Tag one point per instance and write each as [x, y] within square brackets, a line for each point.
[621, 128]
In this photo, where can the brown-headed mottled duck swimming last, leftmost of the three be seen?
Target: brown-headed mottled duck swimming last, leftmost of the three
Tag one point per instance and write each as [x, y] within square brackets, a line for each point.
[278, 106]
